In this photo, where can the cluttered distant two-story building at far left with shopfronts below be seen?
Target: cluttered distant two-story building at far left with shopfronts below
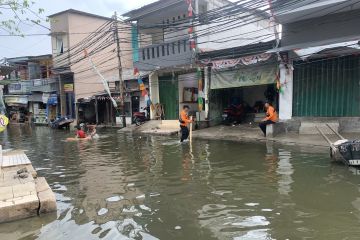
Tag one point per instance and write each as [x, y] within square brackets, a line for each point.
[31, 89]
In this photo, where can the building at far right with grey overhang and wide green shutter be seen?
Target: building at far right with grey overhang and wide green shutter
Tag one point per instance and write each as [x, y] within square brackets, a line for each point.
[320, 67]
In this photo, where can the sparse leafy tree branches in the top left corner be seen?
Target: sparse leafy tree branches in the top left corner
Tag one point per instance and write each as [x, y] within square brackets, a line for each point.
[13, 13]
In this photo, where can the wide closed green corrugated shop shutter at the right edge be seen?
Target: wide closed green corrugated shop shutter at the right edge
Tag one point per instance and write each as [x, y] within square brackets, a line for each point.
[327, 88]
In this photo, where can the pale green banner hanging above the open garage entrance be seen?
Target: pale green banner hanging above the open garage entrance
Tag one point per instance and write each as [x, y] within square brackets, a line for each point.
[243, 77]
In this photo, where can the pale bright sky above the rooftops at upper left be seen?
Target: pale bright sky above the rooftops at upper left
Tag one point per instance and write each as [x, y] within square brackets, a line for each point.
[38, 45]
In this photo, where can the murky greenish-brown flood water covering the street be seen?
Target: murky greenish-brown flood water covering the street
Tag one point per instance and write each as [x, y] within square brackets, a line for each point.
[126, 186]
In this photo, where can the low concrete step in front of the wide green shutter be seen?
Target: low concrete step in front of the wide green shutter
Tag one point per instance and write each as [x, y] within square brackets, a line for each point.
[309, 128]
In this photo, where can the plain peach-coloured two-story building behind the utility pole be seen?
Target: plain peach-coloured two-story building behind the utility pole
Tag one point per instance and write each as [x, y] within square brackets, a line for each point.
[81, 43]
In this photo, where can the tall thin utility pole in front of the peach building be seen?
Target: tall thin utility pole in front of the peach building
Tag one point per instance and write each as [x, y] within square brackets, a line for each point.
[122, 95]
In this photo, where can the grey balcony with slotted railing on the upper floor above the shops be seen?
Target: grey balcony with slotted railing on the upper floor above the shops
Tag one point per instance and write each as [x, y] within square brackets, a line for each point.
[164, 55]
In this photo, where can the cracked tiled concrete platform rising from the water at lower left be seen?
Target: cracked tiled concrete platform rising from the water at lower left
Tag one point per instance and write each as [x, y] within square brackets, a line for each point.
[22, 195]
